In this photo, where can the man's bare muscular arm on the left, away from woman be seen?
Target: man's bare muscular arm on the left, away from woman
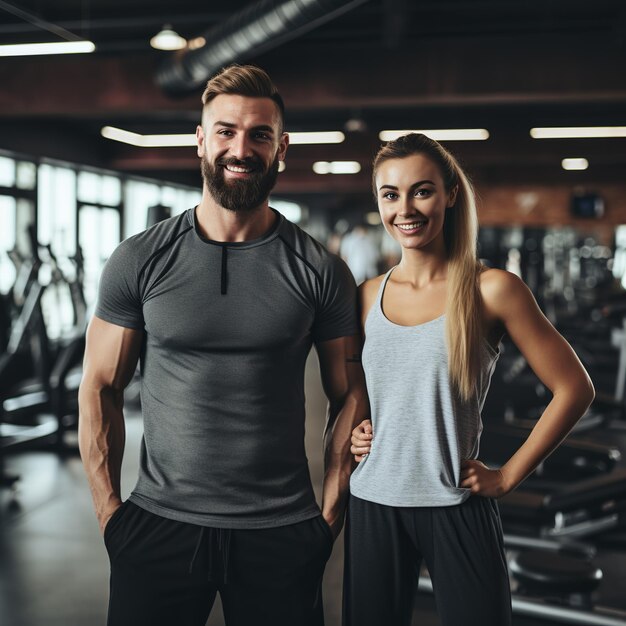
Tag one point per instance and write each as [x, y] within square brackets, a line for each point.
[111, 356]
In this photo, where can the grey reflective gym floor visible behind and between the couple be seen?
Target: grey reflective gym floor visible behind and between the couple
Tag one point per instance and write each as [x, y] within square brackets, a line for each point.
[54, 569]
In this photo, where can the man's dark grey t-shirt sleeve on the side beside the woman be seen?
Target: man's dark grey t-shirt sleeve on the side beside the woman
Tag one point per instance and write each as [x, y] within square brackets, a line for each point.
[336, 315]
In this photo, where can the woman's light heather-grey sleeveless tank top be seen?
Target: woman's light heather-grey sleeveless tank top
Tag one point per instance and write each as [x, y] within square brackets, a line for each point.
[422, 429]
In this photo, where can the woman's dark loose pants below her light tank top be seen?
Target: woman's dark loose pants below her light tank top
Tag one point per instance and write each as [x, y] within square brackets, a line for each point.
[463, 549]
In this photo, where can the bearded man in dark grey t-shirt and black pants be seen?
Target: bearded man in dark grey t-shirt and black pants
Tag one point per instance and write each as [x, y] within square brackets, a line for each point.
[223, 303]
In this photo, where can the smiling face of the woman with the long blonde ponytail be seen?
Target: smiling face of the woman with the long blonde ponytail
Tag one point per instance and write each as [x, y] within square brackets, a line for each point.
[412, 200]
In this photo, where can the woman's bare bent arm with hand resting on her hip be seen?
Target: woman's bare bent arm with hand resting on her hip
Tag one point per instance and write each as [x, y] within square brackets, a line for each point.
[510, 306]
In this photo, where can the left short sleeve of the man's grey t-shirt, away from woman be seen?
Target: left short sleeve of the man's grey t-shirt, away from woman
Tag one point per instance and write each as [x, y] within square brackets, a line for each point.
[119, 300]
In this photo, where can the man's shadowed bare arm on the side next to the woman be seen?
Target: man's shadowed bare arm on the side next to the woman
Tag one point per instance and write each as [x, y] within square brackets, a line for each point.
[344, 386]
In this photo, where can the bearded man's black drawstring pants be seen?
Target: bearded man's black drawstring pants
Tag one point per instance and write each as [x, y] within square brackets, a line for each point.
[167, 573]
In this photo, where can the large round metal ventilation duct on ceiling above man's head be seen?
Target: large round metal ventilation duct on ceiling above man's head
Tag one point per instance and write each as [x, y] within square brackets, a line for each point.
[256, 29]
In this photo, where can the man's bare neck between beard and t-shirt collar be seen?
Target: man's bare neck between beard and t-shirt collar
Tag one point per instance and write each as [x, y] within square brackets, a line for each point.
[219, 224]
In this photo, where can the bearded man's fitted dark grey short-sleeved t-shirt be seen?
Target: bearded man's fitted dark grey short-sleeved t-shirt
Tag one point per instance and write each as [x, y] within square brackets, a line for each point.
[228, 328]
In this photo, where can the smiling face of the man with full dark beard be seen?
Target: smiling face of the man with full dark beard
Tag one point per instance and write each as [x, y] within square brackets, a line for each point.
[240, 144]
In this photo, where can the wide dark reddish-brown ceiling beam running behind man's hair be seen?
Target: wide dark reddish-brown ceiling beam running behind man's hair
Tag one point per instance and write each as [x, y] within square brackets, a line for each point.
[488, 71]
